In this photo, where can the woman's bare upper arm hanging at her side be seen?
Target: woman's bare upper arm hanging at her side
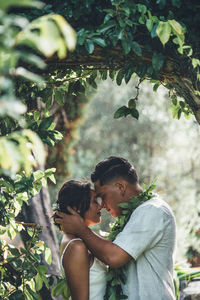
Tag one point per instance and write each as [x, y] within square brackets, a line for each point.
[76, 266]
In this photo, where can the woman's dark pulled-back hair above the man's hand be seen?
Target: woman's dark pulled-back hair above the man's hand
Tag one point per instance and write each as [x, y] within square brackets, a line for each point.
[73, 193]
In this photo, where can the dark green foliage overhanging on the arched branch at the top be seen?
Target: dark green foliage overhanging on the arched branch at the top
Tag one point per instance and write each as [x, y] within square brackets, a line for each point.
[158, 41]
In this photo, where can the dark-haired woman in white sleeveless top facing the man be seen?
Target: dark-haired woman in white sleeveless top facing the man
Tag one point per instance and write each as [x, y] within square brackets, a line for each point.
[85, 275]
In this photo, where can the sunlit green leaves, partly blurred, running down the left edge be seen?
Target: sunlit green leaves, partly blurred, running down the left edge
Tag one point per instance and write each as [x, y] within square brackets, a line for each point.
[23, 133]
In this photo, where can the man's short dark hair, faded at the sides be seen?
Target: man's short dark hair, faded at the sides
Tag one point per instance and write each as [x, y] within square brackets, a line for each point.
[114, 167]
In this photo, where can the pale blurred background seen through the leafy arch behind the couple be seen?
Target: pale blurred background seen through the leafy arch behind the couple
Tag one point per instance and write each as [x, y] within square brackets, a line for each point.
[158, 145]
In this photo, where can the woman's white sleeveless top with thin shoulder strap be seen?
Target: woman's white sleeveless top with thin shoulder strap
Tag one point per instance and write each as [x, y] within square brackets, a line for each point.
[97, 276]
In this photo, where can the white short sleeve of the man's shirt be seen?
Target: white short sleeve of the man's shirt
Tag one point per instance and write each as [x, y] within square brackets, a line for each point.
[143, 230]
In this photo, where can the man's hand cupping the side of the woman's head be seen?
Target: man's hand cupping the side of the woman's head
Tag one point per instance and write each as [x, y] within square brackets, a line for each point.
[73, 224]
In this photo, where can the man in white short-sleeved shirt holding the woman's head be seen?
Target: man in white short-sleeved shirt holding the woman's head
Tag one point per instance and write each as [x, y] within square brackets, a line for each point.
[146, 244]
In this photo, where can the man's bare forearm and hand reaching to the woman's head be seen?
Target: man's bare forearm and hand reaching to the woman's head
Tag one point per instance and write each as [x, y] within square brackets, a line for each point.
[105, 250]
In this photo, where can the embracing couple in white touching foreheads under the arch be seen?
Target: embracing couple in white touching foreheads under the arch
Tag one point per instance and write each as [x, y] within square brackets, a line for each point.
[144, 248]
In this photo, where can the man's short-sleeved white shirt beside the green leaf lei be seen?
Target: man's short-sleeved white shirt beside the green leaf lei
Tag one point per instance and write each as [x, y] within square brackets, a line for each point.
[149, 237]
